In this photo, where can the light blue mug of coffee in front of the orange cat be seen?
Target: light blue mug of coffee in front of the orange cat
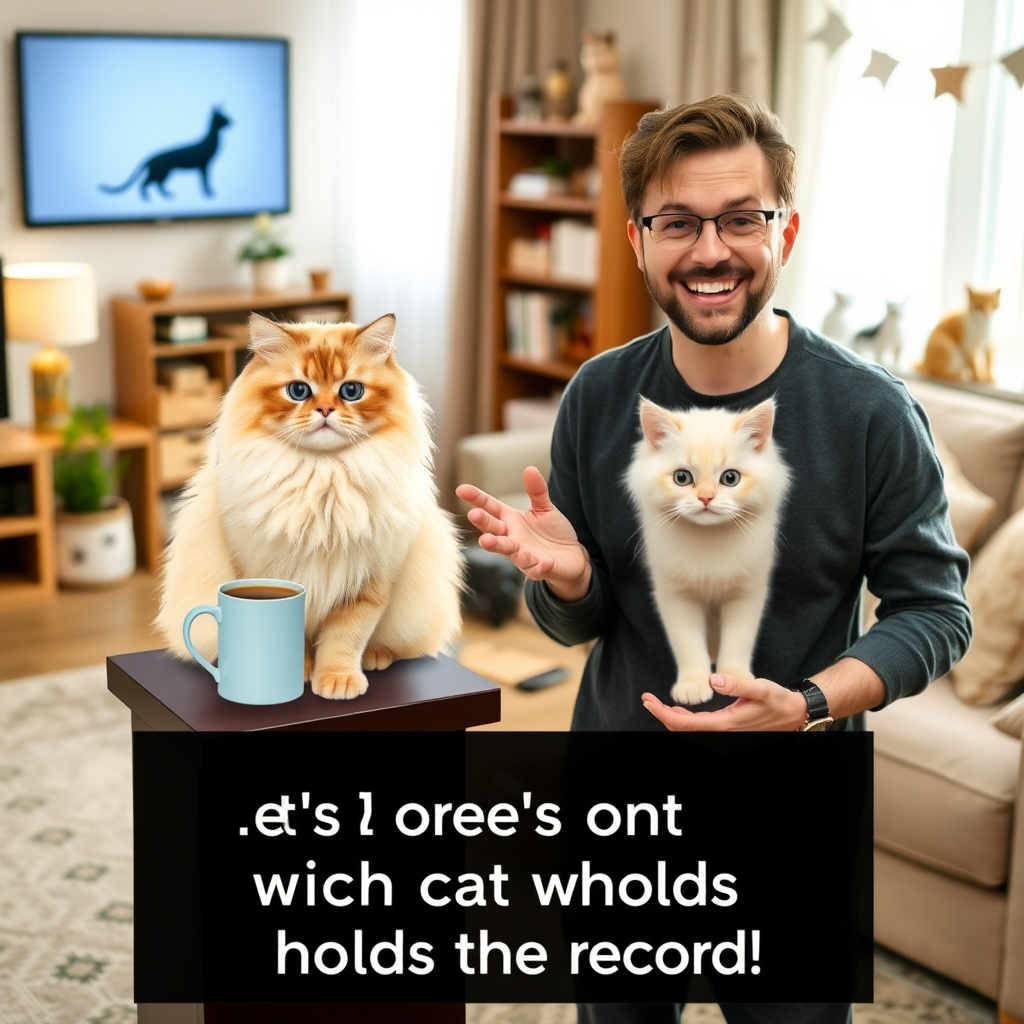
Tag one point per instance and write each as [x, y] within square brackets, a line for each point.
[261, 641]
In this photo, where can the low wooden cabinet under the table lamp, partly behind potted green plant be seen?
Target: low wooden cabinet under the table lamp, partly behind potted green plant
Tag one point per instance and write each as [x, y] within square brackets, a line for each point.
[28, 563]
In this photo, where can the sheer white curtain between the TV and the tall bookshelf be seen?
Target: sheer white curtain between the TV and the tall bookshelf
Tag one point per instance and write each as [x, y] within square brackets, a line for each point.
[394, 151]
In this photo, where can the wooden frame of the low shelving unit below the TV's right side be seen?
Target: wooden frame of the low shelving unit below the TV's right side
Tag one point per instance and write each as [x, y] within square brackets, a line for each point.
[139, 355]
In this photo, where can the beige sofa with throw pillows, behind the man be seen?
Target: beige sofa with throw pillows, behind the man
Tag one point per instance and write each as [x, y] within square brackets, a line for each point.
[950, 829]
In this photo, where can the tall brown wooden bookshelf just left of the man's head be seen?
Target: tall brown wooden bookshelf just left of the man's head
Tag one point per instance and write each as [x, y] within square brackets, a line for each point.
[618, 301]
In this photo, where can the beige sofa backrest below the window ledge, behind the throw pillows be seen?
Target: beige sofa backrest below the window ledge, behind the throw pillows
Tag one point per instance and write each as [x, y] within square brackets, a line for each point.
[986, 434]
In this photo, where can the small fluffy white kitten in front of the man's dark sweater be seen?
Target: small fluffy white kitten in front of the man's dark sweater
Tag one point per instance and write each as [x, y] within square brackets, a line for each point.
[708, 486]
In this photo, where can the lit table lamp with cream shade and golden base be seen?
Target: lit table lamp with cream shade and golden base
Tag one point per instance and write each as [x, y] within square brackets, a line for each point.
[55, 305]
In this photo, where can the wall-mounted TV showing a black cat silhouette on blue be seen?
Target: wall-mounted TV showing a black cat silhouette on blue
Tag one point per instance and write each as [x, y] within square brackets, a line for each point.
[120, 129]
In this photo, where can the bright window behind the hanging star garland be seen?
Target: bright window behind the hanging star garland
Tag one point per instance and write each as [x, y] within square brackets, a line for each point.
[916, 196]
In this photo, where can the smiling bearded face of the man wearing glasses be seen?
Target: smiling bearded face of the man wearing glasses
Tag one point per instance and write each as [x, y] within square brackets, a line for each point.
[711, 292]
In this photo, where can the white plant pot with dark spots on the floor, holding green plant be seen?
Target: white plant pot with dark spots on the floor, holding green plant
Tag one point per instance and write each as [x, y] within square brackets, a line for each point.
[96, 549]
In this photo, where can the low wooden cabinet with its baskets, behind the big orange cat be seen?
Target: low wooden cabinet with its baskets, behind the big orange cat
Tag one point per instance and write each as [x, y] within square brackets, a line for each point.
[156, 379]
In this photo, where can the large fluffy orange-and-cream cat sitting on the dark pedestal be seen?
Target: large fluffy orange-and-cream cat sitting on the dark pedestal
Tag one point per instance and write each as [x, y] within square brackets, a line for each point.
[319, 470]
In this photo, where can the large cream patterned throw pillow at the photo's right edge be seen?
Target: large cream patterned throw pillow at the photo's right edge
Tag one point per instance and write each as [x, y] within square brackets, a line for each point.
[994, 667]
